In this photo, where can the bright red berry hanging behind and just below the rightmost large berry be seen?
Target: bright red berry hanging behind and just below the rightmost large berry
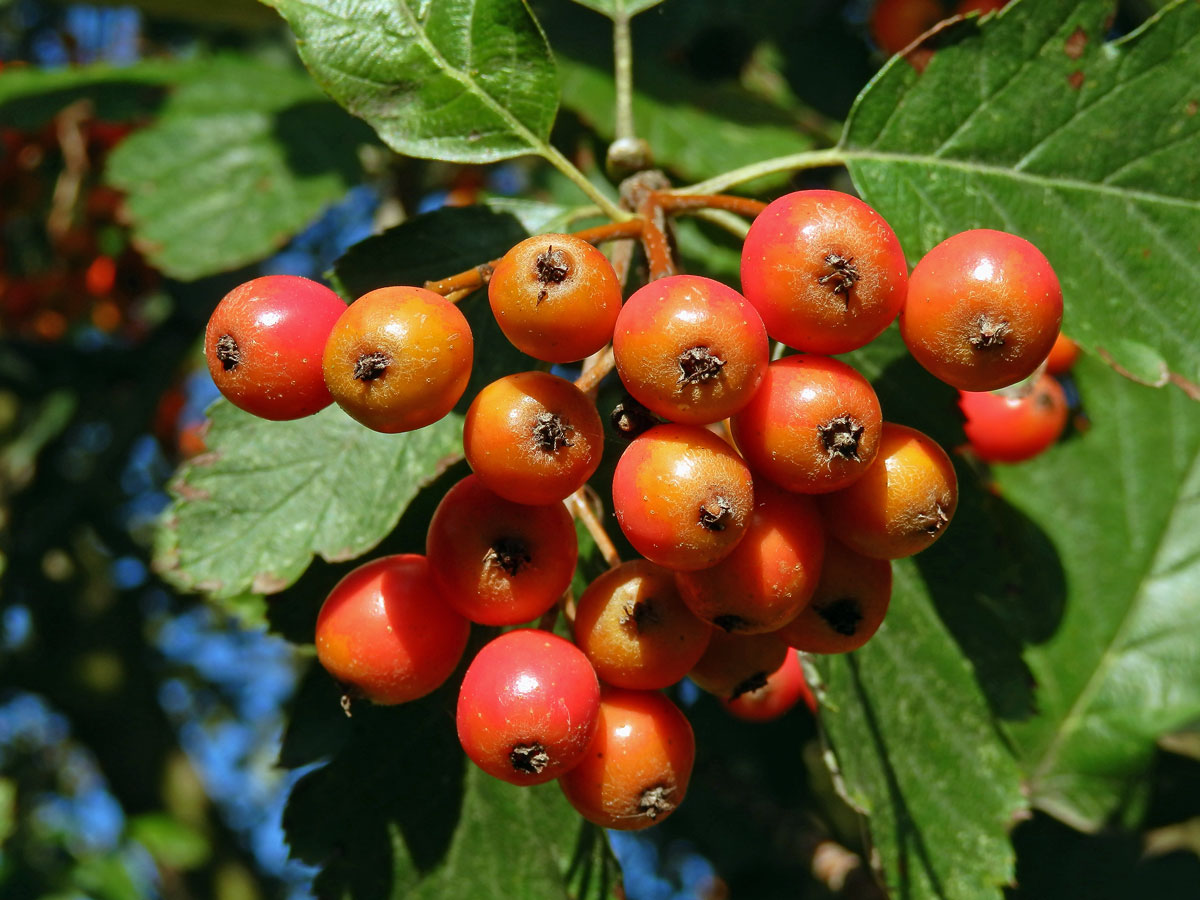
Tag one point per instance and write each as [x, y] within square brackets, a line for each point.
[1017, 425]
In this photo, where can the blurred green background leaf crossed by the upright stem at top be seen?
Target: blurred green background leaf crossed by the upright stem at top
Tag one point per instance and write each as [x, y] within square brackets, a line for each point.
[697, 131]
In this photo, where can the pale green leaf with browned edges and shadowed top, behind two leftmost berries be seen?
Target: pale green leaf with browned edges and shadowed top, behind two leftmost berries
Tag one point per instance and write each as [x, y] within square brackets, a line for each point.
[251, 514]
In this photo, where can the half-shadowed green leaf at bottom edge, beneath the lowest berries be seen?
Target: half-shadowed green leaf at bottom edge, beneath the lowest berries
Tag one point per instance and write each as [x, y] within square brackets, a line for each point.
[400, 813]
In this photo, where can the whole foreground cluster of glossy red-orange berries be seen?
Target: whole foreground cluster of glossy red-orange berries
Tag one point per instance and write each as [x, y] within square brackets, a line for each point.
[765, 497]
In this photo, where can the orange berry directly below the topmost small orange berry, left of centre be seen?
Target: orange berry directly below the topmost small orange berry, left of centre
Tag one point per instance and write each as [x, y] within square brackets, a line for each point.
[533, 437]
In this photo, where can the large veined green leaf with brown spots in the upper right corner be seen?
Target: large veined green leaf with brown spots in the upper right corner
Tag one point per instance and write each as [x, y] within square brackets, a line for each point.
[1033, 124]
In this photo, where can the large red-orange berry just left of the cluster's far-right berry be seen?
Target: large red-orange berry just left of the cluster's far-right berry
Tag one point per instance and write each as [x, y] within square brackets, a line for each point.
[825, 271]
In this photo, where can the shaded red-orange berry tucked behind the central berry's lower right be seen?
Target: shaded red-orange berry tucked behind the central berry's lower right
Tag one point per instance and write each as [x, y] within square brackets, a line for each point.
[772, 573]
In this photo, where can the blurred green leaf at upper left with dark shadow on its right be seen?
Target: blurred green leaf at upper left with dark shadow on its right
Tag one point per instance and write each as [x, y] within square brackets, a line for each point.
[231, 170]
